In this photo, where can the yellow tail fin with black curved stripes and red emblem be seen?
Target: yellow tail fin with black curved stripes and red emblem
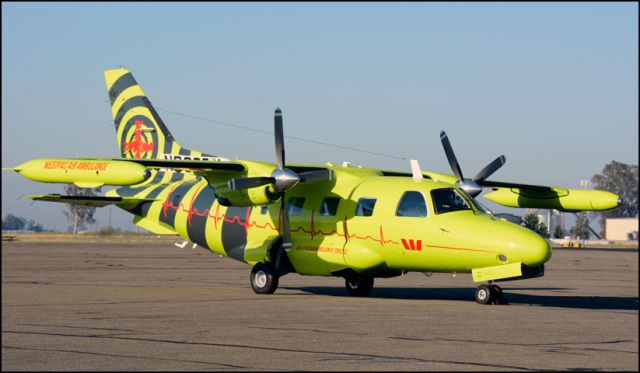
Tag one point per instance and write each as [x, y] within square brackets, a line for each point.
[139, 129]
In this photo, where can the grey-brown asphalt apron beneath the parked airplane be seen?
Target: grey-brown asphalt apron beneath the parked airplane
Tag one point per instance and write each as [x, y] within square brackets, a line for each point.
[154, 306]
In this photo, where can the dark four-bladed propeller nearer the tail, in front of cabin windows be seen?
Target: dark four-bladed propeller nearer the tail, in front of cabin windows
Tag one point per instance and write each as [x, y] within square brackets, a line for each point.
[281, 180]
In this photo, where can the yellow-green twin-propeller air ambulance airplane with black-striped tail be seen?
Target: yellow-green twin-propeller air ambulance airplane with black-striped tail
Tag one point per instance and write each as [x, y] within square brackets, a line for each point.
[321, 220]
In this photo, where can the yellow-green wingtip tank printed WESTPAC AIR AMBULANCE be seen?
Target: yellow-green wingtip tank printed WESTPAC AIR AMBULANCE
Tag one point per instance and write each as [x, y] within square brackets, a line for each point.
[86, 173]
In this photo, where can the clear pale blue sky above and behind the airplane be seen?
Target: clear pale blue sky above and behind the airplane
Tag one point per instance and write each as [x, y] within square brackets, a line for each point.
[552, 86]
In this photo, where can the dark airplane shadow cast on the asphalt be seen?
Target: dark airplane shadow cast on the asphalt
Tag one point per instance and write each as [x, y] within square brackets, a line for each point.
[467, 294]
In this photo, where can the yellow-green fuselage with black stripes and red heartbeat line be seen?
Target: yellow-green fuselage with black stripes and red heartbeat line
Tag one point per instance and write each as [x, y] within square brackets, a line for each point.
[324, 244]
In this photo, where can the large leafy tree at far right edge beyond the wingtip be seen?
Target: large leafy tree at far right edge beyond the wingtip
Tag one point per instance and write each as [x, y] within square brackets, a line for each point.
[621, 179]
